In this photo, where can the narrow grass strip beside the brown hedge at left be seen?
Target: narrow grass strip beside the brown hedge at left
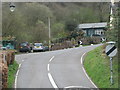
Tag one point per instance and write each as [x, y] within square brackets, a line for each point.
[12, 69]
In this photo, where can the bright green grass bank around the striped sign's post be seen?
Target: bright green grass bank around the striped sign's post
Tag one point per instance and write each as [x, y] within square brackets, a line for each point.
[97, 66]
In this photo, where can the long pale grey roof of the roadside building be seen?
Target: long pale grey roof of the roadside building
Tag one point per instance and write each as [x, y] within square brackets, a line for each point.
[92, 25]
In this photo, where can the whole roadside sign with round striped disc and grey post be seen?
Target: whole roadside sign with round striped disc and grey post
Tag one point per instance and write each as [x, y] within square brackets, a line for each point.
[111, 51]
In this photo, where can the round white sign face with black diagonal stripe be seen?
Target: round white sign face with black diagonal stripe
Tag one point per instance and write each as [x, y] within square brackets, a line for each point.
[111, 50]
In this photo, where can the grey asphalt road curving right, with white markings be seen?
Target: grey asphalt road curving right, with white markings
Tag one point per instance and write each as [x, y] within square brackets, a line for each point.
[54, 69]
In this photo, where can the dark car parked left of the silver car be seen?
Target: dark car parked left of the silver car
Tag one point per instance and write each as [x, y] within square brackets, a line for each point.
[25, 47]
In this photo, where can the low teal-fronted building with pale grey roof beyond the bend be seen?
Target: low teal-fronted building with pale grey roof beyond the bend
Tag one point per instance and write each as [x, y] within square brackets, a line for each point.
[93, 29]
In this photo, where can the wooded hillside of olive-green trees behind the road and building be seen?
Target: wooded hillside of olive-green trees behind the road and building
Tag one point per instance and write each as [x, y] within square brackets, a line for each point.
[29, 21]
